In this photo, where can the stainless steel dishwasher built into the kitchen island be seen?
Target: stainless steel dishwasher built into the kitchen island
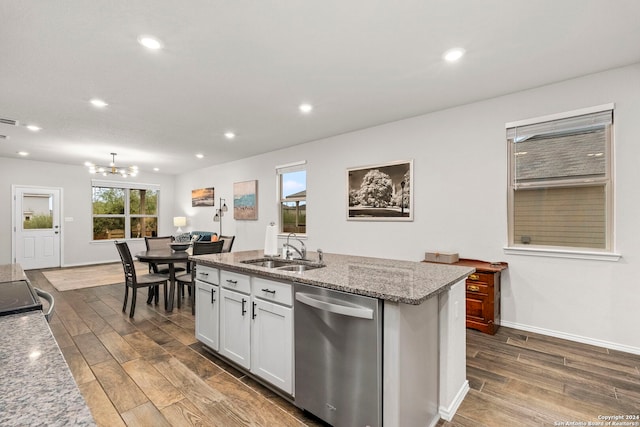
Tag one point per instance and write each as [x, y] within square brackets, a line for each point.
[338, 356]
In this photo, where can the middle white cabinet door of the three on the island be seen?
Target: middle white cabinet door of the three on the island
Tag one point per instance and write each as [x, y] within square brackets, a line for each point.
[235, 327]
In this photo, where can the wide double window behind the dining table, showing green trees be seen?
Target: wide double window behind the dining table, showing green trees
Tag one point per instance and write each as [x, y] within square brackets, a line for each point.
[124, 210]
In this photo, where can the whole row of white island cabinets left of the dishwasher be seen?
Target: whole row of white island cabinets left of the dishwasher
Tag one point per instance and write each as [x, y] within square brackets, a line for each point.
[255, 324]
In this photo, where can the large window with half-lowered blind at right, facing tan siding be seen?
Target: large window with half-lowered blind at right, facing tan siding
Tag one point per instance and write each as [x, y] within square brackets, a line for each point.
[560, 181]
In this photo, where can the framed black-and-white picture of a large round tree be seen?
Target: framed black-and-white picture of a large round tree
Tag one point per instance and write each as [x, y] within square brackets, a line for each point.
[380, 192]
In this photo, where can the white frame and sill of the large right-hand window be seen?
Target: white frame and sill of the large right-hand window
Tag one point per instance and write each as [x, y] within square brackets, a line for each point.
[605, 254]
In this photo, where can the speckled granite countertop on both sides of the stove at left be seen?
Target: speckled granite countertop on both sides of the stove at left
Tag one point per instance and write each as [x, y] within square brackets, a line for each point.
[35, 380]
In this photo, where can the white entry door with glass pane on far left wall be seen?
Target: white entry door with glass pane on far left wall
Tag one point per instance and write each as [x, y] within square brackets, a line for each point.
[36, 227]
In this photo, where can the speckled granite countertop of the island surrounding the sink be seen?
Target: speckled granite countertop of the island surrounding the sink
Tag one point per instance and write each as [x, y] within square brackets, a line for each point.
[391, 280]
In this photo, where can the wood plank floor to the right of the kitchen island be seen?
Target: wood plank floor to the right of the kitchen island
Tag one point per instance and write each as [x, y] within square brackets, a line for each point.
[525, 379]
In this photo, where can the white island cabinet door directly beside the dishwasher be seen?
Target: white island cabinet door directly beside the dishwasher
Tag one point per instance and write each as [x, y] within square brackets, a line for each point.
[272, 343]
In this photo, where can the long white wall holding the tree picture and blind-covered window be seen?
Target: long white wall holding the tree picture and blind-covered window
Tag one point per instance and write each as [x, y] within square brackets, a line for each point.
[460, 187]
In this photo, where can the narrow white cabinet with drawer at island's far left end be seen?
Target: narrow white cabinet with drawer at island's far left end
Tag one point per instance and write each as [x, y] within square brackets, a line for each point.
[207, 297]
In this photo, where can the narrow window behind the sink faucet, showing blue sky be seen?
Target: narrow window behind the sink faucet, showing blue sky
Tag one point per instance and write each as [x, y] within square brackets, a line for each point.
[292, 201]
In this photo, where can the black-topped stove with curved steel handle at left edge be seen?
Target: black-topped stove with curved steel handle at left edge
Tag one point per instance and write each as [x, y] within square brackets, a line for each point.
[18, 296]
